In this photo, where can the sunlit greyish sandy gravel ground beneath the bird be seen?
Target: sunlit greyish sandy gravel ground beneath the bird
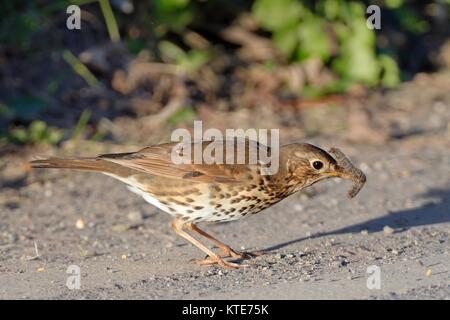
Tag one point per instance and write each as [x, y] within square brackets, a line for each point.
[320, 243]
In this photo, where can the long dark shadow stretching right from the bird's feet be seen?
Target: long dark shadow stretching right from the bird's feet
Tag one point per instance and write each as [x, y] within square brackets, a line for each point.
[437, 210]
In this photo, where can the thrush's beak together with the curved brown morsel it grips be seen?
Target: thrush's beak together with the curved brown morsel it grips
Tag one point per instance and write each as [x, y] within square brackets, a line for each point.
[344, 169]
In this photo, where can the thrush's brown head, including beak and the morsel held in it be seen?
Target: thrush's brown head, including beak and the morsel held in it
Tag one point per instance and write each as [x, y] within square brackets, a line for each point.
[309, 164]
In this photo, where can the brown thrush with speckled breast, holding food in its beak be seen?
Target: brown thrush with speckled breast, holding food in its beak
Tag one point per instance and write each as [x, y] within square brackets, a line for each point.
[196, 192]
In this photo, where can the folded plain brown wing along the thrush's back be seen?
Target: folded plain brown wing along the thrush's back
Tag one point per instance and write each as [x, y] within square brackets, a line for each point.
[158, 160]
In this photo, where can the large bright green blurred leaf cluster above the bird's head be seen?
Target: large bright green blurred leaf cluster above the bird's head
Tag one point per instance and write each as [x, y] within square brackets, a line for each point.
[301, 33]
